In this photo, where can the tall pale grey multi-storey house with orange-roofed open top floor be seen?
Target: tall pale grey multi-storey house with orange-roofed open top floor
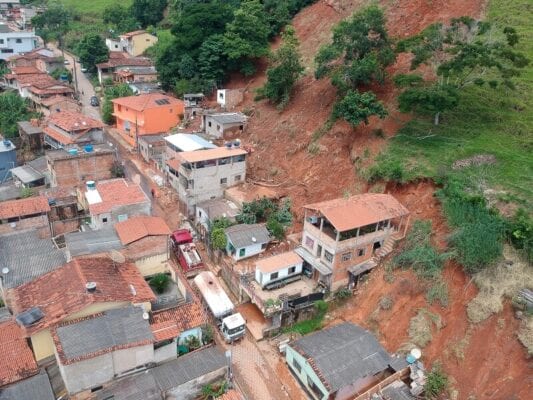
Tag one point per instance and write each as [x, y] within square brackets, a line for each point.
[205, 174]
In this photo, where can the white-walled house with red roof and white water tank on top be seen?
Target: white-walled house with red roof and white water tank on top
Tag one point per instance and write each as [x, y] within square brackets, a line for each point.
[112, 201]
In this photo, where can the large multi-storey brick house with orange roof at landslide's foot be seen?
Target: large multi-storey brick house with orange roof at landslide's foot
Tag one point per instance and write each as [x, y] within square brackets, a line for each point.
[345, 238]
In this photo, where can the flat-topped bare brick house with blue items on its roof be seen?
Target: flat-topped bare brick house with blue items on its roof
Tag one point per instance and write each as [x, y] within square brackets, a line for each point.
[74, 167]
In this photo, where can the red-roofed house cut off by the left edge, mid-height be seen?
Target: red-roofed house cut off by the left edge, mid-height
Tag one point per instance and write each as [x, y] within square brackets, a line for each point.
[22, 214]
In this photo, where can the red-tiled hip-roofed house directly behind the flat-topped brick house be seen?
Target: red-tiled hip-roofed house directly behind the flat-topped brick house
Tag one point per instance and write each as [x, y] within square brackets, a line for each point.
[68, 128]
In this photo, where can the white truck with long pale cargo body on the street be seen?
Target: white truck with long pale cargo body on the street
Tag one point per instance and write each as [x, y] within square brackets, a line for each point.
[231, 324]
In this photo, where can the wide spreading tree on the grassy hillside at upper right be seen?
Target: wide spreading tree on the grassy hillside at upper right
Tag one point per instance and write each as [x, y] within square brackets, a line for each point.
[465, 52]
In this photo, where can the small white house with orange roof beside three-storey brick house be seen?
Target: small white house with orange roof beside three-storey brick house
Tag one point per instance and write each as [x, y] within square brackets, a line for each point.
[278, 268]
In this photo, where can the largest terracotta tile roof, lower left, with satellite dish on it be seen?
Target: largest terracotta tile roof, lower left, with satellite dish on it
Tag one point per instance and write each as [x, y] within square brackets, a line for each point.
[62, 292]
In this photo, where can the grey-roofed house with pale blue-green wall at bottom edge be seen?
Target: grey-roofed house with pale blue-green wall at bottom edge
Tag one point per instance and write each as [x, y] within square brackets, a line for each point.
[342, 362]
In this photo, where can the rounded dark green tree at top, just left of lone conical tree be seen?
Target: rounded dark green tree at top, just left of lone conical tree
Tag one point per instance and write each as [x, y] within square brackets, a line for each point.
[246, 37]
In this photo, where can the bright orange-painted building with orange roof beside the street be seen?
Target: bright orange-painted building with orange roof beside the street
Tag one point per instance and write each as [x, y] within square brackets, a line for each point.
[146, 114]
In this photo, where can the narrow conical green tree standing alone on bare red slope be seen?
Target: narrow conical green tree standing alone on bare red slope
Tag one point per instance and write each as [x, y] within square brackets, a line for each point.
[285, 69]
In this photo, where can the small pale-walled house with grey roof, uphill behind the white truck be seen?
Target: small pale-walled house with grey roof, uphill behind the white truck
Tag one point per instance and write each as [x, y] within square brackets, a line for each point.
[246, 240]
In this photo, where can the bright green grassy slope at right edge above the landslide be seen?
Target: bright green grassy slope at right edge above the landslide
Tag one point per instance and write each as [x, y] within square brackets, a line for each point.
[497, 122]
